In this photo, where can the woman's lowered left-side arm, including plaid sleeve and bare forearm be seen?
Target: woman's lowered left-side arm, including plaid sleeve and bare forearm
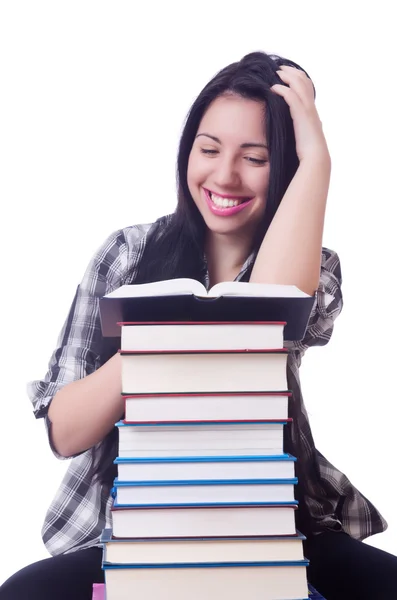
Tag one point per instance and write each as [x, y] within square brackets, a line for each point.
[80, 396]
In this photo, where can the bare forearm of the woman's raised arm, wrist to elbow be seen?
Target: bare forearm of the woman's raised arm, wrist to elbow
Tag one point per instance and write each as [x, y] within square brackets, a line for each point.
[291, 250]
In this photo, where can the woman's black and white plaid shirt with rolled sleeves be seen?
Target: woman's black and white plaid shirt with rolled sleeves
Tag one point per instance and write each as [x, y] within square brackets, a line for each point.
[81, 508]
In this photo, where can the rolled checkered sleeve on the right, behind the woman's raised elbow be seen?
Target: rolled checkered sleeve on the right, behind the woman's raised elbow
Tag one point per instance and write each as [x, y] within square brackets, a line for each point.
[328, 303]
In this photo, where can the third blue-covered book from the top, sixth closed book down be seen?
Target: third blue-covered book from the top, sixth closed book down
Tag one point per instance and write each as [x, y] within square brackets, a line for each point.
[204, 491]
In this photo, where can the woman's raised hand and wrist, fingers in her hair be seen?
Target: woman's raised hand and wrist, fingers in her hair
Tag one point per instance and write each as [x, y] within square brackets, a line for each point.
[310, 140]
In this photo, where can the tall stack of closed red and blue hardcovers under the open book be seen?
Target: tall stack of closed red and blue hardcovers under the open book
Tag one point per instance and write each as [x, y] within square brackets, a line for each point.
[204, 500]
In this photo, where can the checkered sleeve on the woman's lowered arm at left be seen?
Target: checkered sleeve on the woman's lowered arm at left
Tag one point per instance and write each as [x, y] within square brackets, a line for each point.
[79, 342]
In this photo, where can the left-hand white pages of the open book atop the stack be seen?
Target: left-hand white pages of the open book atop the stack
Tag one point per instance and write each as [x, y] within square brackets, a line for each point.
[169, 287]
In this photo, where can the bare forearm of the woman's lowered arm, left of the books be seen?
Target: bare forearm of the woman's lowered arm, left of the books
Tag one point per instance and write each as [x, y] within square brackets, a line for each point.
[84, 411]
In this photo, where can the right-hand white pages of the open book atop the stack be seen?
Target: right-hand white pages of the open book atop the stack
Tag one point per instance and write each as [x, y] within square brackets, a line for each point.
[269, 290]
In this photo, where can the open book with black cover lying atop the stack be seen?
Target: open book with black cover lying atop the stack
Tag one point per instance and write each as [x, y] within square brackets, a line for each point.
[188, 300]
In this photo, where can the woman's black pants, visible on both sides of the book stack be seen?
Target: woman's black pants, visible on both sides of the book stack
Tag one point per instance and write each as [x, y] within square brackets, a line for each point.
[341, 569]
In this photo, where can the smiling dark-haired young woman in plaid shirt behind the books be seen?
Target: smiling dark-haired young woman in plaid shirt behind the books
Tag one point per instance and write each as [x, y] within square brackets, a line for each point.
[253, 178]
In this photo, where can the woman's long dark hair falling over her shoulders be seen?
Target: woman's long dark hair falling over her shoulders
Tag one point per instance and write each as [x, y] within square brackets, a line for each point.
[177, 249]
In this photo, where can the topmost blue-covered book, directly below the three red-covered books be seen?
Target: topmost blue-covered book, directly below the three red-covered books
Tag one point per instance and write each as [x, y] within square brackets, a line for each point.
[200, 440]
